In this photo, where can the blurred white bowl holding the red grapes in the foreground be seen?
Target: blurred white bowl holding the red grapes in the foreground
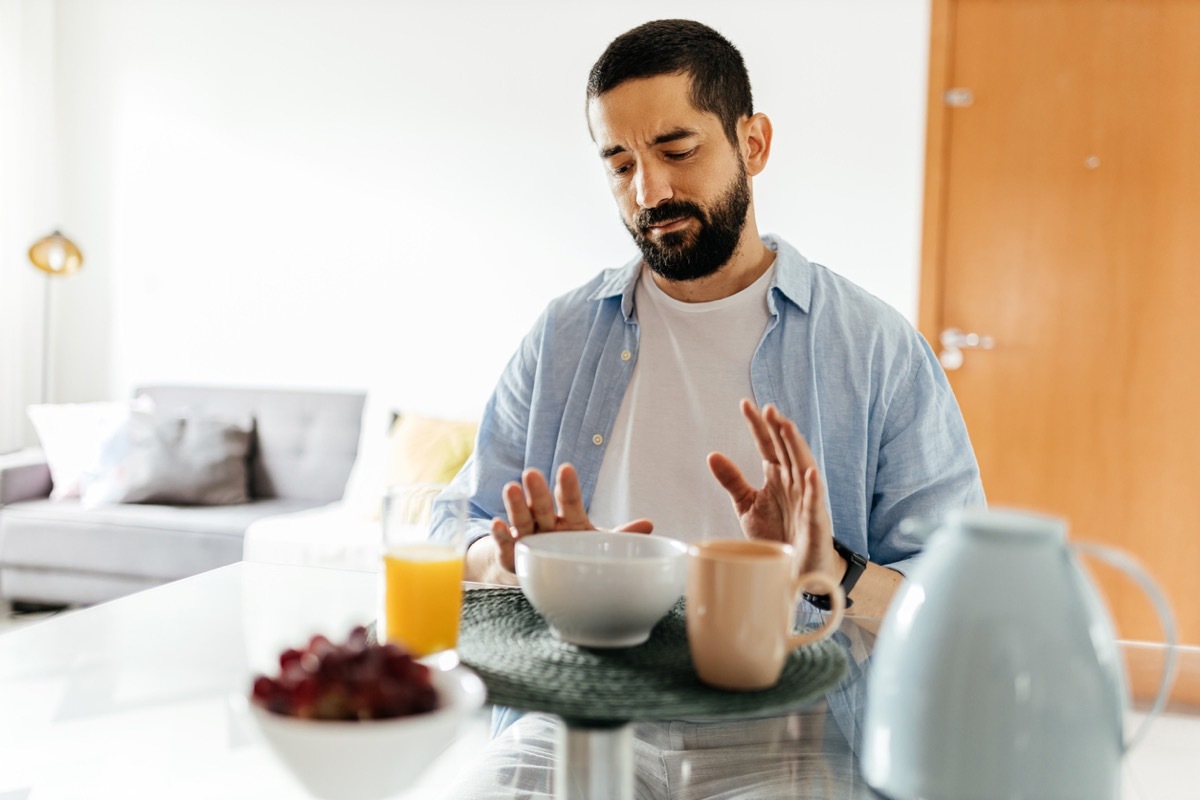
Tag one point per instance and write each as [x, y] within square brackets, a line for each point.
[375, 759]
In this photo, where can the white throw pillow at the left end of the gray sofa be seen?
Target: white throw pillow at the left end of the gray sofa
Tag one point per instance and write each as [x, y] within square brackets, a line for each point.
[71, 436]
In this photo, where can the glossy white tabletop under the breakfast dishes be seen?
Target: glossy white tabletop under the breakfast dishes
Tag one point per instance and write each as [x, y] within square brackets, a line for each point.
[133, 699]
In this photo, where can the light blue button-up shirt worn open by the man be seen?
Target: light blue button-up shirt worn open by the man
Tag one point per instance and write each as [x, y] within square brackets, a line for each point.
[860, 382]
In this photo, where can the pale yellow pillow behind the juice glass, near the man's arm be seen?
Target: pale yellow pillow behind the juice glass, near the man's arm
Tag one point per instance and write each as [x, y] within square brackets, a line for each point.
[427, 450]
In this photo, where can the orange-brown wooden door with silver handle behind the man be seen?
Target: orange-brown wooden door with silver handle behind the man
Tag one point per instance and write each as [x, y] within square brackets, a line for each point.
[1064, 221]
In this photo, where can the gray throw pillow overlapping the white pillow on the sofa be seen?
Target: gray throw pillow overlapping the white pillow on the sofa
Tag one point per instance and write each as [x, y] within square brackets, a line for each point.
[172, 460]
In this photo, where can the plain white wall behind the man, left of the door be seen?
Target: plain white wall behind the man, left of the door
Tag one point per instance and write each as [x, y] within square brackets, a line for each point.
[383, 195]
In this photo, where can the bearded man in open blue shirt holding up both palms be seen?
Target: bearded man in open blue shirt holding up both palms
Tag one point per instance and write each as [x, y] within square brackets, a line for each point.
[628, 389]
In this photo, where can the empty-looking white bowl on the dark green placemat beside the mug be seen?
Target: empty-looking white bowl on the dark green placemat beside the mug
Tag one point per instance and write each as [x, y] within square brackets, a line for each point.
[602, 590]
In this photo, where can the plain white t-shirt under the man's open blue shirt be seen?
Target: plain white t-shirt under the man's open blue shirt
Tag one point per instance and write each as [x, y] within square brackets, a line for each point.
[683, 402]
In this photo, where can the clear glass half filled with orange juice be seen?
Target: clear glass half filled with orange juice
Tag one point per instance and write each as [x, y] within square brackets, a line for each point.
[422, 579]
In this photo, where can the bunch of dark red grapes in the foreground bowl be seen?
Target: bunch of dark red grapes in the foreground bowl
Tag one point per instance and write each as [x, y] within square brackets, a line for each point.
[356, 681]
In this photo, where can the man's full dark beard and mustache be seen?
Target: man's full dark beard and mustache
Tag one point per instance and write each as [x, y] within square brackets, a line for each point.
[687, 256]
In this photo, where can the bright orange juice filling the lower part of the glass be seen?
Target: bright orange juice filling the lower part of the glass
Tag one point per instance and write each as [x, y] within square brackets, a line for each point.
[423, 597]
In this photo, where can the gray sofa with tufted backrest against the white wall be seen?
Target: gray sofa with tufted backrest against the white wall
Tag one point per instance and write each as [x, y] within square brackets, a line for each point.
[58, 552]
